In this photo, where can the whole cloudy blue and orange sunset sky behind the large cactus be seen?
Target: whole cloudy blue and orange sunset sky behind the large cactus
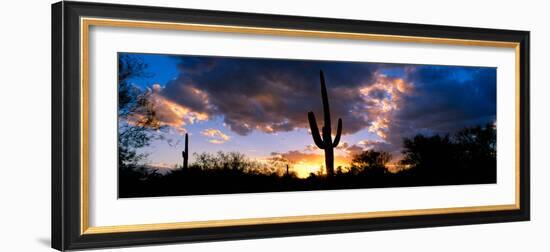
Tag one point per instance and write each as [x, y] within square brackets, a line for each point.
[259, 106]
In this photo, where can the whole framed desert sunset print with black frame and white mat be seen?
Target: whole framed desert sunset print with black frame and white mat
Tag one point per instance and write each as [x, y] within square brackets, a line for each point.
[179, 125]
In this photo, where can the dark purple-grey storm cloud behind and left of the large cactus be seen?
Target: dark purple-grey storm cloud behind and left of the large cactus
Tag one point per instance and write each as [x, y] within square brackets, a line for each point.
[269, 95]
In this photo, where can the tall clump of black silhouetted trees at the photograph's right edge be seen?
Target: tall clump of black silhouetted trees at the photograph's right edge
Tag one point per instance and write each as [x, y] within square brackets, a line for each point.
[467, 156]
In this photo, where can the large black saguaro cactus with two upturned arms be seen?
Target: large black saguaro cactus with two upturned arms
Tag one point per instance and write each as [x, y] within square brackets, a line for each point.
[325, 142]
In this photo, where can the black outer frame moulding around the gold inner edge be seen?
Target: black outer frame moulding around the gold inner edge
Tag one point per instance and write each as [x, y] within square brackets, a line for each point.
[66, 142]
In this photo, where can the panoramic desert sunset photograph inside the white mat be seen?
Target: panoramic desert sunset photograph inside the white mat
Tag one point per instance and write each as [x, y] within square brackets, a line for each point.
[195, 125]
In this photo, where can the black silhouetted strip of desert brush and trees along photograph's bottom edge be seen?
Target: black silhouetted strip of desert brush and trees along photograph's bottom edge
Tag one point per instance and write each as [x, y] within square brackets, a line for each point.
[466, 157]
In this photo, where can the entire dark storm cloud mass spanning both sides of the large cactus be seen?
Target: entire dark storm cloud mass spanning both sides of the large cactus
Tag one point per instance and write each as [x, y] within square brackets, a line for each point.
[391, 100]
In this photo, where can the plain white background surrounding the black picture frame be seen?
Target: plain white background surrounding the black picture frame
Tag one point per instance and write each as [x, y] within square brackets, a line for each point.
[25, 125]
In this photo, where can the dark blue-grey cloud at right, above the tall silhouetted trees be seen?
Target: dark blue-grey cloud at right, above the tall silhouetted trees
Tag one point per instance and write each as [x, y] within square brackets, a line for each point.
[445, 99]
